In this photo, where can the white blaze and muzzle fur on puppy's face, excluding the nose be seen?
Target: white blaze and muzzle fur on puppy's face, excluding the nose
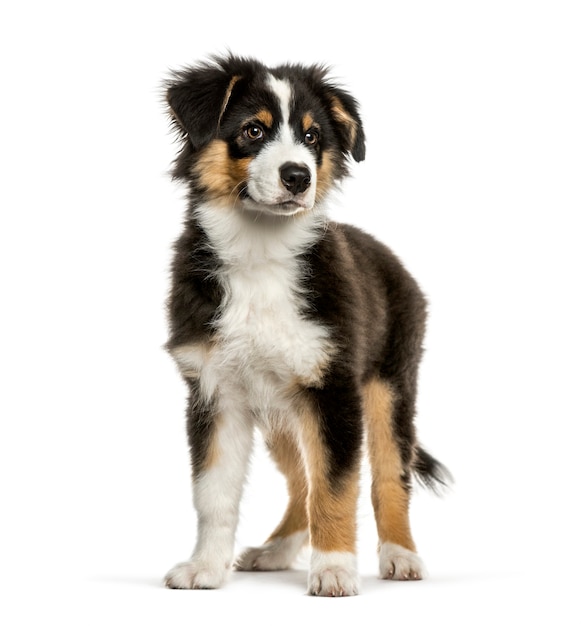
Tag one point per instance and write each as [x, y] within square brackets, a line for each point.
[265, 188]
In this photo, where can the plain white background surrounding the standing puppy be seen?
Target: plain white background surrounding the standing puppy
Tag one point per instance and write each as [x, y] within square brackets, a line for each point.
[473, 117]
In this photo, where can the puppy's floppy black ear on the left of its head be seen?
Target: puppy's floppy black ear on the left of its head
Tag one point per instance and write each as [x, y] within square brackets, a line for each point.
[197, 99]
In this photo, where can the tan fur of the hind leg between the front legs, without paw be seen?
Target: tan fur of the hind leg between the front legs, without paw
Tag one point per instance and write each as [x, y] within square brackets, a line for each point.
[285, 452]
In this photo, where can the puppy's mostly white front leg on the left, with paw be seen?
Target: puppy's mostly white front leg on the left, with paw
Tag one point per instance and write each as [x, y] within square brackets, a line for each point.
[220, 437]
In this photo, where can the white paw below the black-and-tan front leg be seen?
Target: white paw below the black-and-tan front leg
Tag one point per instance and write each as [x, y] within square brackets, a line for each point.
[333, 574]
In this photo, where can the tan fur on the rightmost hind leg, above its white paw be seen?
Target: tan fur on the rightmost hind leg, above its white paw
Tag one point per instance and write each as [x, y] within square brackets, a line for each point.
[388, 493]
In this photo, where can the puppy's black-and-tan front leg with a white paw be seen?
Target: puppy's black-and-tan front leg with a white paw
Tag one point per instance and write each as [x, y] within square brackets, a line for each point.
[331, 434]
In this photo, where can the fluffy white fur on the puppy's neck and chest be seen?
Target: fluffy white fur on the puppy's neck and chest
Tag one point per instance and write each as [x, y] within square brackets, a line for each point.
[263, 341]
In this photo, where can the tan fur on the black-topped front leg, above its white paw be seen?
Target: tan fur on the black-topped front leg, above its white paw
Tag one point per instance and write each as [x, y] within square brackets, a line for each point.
[332, 511]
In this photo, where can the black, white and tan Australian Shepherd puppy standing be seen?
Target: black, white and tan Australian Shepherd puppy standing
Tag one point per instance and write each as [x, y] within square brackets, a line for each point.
[286, 322]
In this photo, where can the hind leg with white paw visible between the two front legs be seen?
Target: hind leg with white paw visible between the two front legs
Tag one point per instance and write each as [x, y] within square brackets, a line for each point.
[283, 545]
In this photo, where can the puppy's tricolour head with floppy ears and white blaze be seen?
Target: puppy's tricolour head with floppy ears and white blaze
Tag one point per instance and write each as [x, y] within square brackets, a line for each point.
[260, 139]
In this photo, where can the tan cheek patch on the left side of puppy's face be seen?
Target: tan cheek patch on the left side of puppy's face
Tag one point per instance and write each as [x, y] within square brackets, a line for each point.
[222, 176]
